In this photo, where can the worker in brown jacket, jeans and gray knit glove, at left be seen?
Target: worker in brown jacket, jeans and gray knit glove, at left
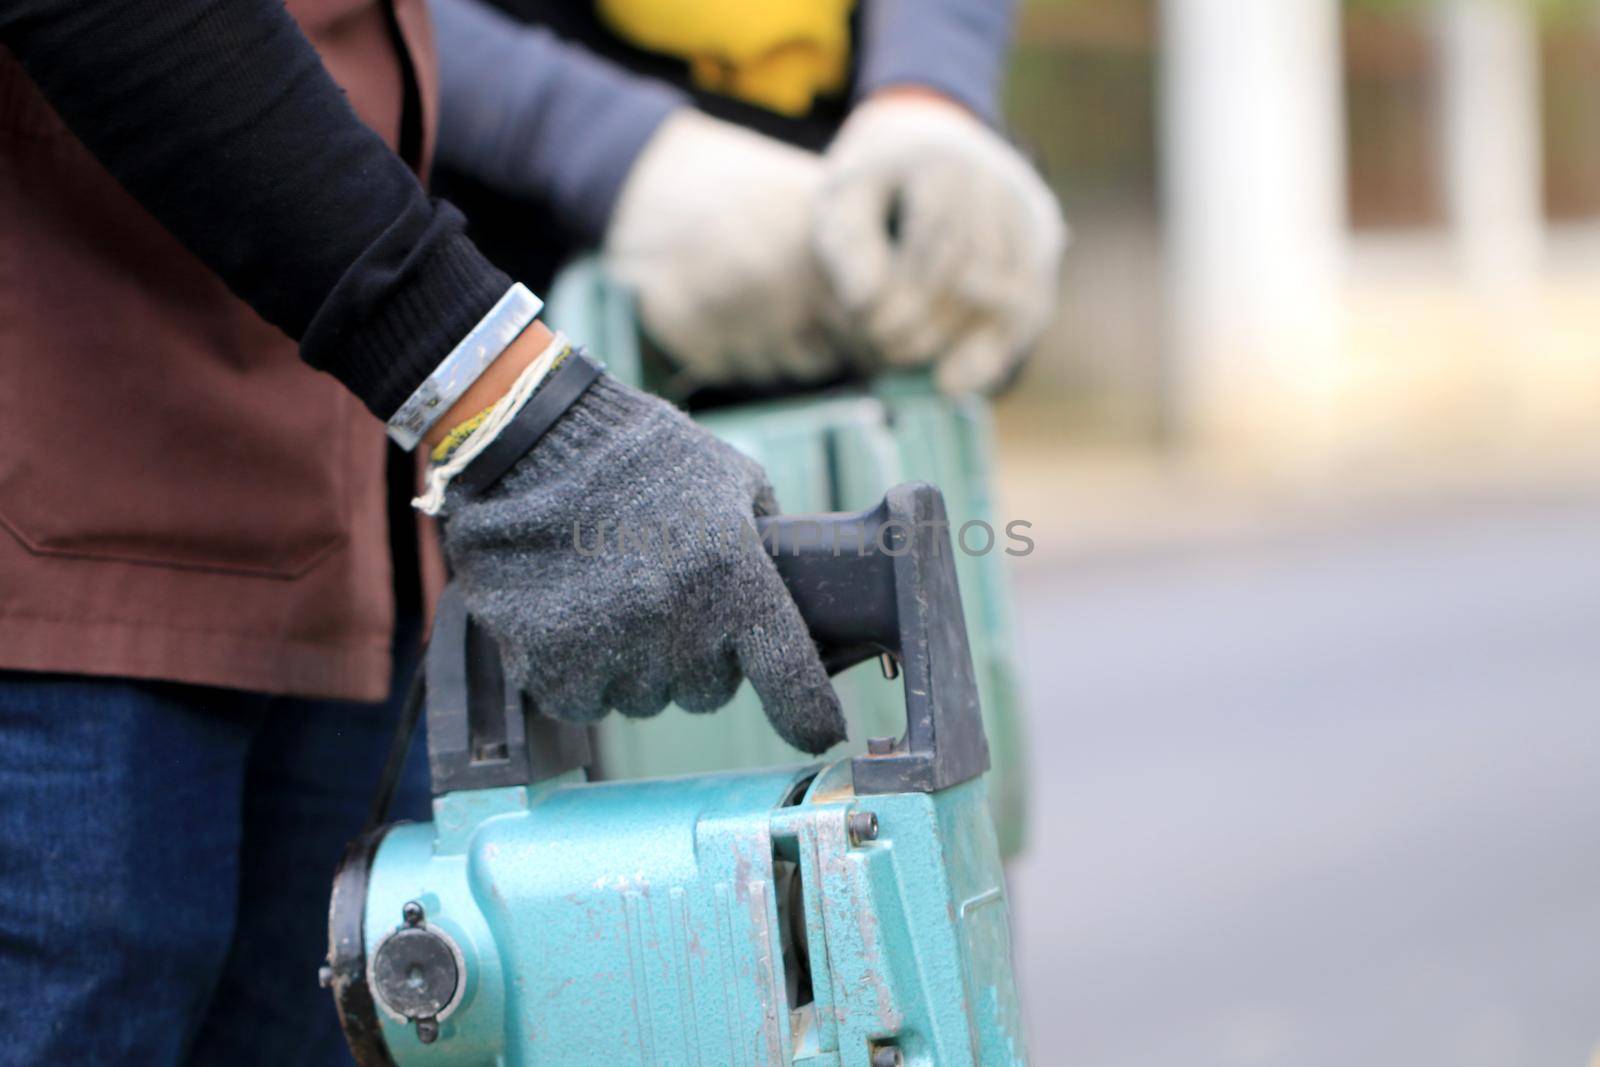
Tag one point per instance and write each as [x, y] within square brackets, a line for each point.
[217, 268]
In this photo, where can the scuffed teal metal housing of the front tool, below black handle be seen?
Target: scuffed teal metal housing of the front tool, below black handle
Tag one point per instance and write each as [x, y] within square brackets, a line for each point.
[724, 919]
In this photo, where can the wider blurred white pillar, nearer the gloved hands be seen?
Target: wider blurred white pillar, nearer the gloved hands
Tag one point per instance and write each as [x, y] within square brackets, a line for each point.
[1255, 218]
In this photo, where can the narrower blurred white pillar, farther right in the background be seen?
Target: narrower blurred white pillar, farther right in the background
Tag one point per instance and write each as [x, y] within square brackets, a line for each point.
[1489, 81]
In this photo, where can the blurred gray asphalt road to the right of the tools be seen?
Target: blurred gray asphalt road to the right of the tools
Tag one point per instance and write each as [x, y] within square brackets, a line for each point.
[1319, 801]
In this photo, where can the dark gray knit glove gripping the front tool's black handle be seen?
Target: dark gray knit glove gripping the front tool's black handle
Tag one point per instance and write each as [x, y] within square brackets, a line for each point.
[615, 569]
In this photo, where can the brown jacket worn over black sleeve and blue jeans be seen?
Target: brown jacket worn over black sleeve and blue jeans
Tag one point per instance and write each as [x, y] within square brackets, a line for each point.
[180, 497]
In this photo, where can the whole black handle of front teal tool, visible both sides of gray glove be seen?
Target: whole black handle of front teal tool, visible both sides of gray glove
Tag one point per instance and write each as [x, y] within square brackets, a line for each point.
[866, 583]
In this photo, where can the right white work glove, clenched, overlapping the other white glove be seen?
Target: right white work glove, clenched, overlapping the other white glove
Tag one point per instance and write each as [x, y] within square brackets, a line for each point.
[938, 239]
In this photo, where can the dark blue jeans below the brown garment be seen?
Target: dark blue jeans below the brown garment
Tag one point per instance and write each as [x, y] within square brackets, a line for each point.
[166, 861]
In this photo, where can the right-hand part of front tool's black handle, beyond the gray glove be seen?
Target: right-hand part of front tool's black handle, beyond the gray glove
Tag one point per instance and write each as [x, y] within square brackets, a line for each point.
[884, 581]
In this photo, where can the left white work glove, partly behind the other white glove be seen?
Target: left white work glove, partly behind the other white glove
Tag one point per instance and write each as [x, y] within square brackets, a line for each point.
[713, 233]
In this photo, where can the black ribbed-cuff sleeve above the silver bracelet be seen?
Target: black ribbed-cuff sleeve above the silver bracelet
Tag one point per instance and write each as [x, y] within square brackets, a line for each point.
[222, 121]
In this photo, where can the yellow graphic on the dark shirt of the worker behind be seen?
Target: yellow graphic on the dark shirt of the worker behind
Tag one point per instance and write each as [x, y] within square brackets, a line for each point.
[777, 54]
